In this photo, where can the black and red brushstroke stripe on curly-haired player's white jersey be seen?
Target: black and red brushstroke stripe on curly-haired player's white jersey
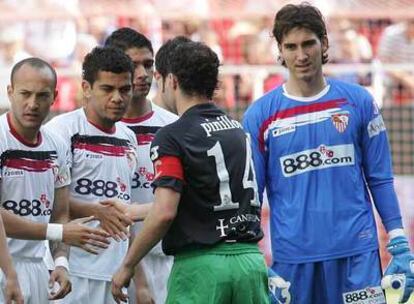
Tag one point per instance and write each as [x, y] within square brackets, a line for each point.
[104, 145]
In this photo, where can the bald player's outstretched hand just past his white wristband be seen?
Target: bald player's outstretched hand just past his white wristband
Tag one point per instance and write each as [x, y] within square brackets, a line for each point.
[75, 233]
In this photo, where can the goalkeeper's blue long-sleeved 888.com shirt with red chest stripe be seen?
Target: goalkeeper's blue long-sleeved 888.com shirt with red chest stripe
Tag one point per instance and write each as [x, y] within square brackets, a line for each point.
[319, 159]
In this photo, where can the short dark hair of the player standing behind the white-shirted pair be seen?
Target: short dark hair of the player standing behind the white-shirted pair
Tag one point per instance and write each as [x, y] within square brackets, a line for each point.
[126, 38]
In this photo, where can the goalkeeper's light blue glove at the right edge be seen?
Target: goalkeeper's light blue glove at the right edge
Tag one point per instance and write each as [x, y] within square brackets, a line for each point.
[402, 264]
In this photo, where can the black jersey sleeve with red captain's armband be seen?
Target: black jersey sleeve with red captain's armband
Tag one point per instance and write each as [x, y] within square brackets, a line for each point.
[166, 157]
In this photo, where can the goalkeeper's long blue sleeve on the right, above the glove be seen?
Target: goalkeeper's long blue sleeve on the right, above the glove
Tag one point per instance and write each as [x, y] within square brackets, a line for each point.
[377, 165]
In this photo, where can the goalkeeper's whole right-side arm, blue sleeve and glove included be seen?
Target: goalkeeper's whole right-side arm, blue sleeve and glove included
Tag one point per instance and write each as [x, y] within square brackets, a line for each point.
[377, 166]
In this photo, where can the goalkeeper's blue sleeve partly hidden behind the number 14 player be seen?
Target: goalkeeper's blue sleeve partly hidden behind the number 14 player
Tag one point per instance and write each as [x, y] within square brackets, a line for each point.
[252, 126]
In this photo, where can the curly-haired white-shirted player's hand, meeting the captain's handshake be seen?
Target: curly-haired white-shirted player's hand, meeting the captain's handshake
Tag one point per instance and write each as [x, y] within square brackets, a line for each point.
[114, 221]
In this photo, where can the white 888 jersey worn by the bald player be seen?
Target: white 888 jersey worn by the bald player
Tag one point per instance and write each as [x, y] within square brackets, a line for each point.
[29, 175]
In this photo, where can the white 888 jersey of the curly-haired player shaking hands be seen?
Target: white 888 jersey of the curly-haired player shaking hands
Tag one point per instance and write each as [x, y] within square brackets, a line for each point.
[102, 167]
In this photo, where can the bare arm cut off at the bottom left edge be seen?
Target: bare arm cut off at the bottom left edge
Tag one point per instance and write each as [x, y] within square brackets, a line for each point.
[12, 289]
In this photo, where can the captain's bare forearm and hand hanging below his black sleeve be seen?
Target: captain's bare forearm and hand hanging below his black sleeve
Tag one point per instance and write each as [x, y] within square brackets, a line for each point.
[156, 225]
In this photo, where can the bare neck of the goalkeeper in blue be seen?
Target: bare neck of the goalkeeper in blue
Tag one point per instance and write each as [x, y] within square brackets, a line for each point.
[305, 88]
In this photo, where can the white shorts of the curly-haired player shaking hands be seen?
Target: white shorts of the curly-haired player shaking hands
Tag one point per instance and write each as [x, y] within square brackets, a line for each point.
[89, 291]
